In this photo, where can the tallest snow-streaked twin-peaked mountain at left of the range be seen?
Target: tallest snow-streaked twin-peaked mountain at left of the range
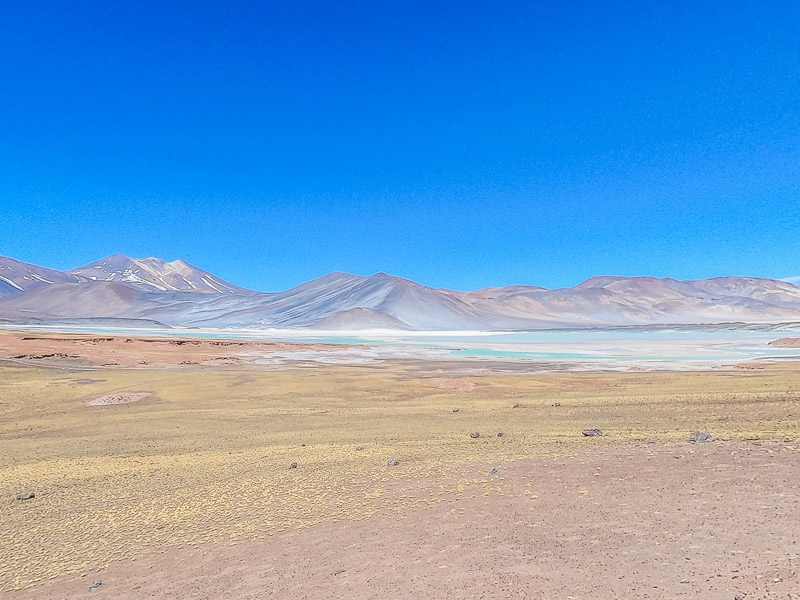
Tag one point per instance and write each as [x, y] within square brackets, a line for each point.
[155, 275]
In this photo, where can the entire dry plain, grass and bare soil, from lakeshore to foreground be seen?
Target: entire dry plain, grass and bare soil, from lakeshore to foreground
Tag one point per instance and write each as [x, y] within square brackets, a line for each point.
[141, 468]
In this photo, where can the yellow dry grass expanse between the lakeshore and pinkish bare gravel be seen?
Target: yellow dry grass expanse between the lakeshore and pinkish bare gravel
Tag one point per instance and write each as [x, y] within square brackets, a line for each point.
[207, 460]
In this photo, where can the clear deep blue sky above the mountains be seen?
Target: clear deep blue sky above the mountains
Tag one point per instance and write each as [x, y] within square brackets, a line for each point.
[458, 144]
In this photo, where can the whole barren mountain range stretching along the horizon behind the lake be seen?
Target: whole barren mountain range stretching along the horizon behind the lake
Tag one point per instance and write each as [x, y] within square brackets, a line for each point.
[152, 291]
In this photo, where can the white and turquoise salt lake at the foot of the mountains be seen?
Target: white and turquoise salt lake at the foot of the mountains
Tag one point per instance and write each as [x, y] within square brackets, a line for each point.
[625, 345]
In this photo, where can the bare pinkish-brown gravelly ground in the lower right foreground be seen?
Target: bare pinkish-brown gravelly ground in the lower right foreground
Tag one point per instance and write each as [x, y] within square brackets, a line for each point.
[717, 521]
